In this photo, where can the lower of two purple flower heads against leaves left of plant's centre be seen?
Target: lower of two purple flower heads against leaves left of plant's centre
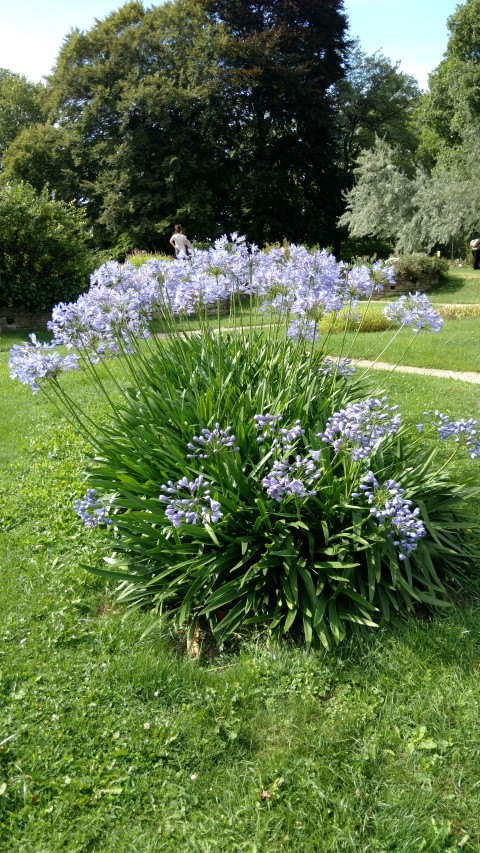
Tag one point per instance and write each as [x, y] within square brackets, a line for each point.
[190, 502]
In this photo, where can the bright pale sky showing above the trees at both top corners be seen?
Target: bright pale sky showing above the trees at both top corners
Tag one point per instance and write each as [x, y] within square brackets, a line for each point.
[413, 32]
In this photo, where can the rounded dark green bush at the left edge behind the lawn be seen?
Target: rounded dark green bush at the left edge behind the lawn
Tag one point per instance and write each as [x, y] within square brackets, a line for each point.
[44, 257]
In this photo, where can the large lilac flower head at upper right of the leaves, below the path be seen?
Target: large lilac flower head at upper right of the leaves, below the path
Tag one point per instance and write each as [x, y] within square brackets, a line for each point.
[359, 426]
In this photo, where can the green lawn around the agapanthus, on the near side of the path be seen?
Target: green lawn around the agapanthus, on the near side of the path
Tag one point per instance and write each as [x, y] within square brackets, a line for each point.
[113, 743]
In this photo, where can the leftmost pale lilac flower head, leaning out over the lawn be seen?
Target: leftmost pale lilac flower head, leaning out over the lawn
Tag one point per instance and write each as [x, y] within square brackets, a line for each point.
[35, 363]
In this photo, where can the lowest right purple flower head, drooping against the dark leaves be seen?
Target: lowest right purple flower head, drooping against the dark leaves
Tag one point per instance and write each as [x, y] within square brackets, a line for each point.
[403, 526]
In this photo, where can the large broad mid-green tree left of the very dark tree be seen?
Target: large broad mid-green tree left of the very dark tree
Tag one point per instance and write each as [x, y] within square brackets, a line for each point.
[131, 96]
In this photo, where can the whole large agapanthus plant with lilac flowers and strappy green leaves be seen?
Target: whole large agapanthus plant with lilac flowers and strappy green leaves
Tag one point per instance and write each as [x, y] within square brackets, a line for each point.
[257, 481]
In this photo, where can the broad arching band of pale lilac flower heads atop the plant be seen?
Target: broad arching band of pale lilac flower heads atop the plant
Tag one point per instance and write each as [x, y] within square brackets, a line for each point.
[122, 299]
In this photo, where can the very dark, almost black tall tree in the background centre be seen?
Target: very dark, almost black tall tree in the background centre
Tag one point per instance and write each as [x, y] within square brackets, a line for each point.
[281, 62]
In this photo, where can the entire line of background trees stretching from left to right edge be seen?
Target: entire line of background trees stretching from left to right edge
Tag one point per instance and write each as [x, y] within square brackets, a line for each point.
[261, 118]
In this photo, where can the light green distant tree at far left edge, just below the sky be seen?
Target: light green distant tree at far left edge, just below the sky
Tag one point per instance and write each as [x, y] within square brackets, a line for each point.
[20, 106]
